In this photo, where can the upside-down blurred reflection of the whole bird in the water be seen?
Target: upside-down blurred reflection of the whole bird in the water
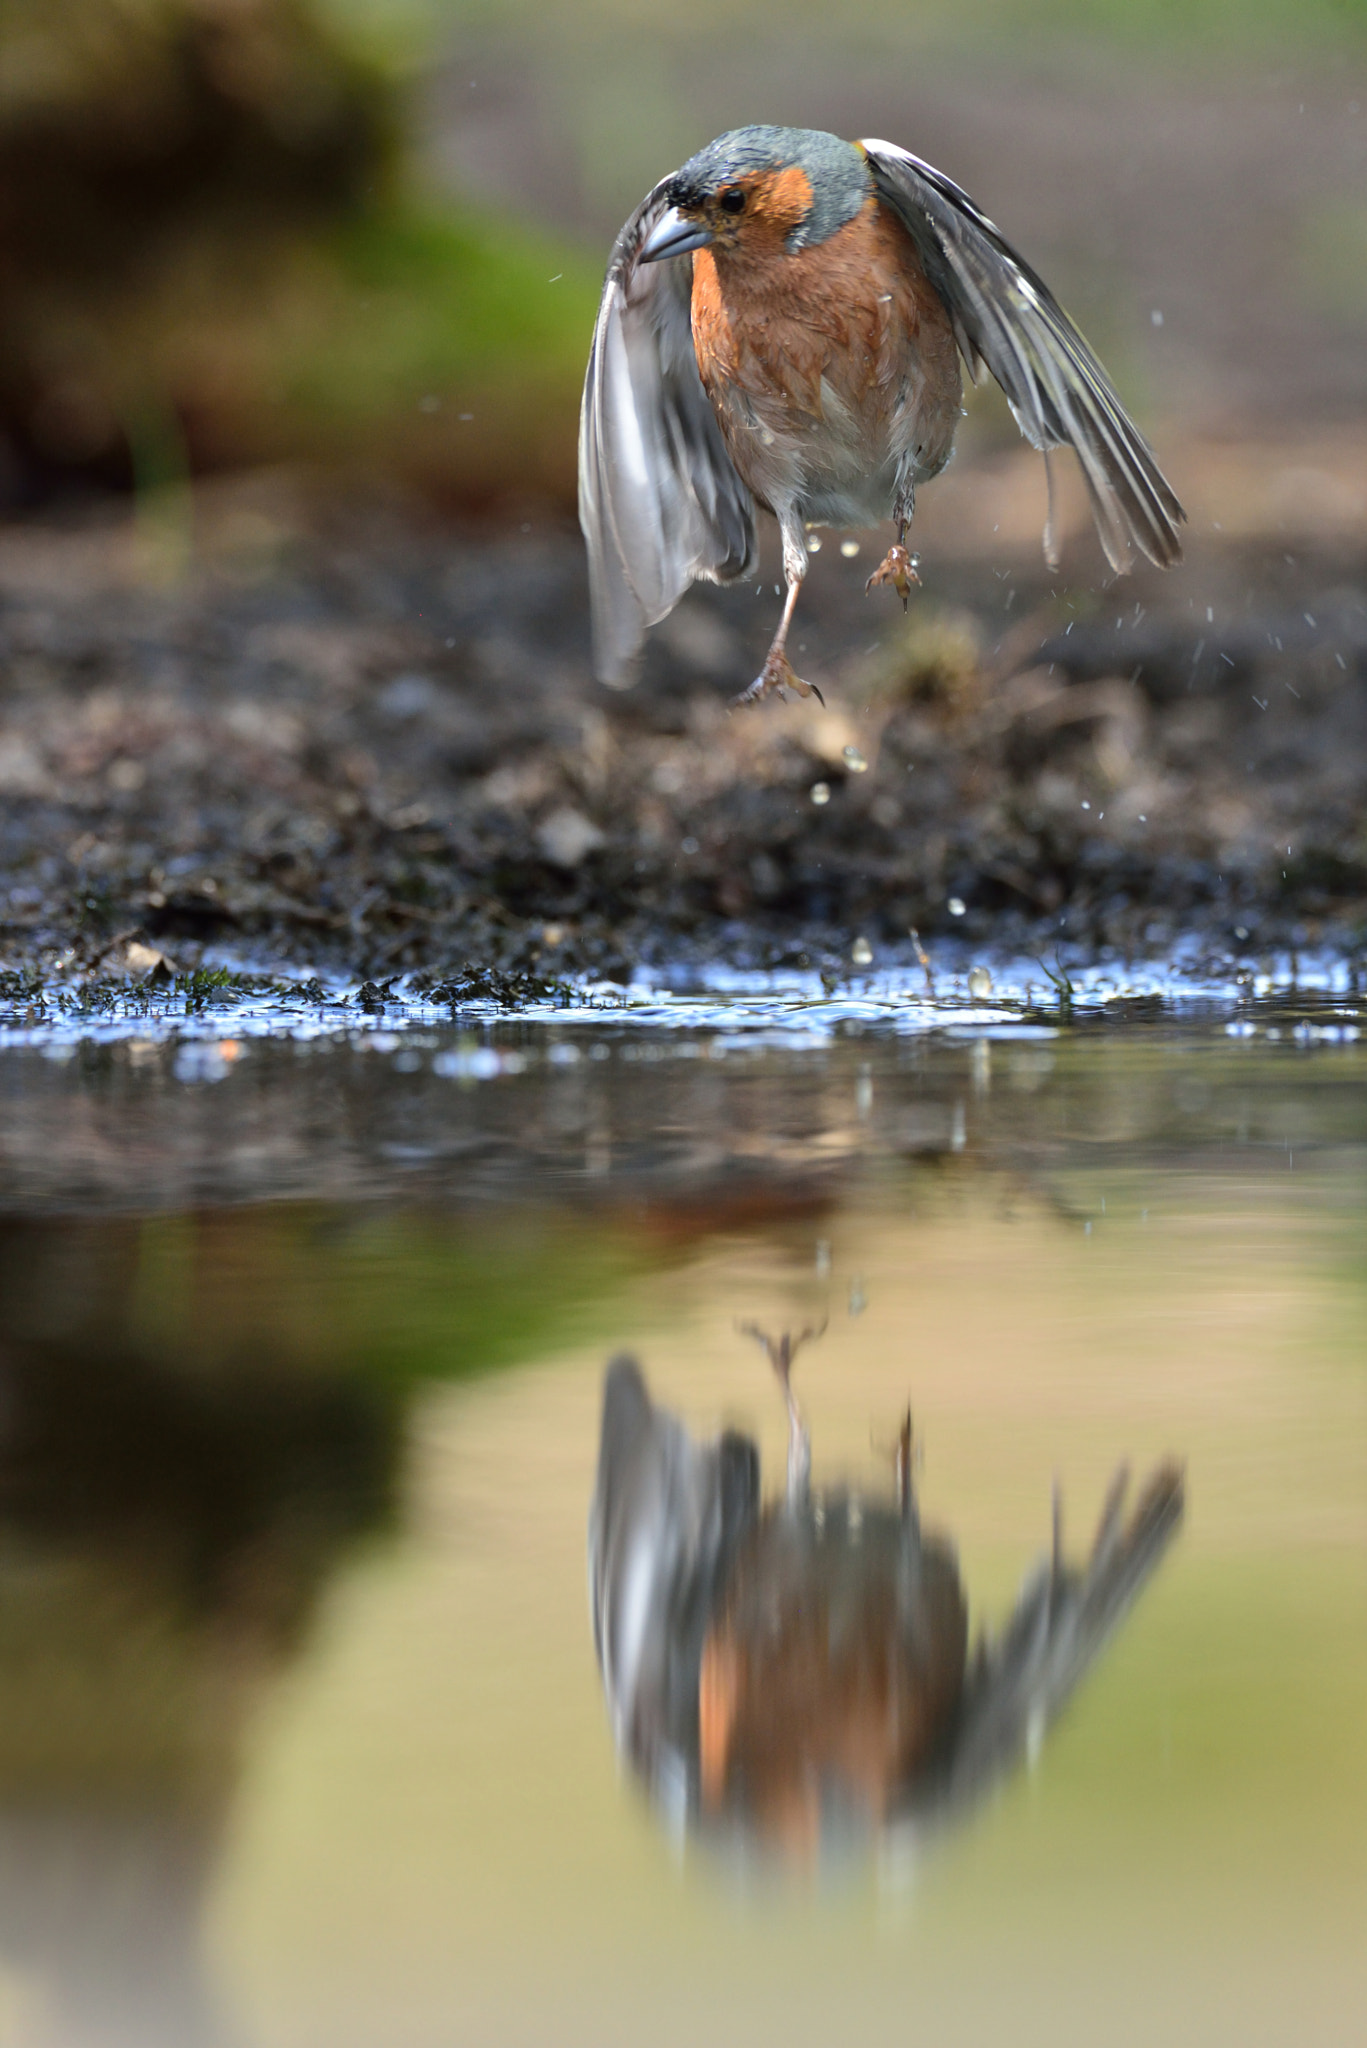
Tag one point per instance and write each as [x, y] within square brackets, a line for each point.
[800, 1674]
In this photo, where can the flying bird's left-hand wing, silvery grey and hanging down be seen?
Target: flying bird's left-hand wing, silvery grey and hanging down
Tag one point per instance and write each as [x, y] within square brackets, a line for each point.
[661, 501]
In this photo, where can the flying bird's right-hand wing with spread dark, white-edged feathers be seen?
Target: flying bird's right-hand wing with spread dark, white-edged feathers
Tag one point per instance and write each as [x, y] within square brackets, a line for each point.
[1007, 318]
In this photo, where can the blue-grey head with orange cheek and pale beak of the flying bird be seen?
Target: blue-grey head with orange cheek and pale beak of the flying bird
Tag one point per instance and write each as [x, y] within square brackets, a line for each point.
[761, 189]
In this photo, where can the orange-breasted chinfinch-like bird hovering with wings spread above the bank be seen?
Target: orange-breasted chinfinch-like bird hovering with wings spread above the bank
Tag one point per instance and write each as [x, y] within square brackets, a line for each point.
[782, 329]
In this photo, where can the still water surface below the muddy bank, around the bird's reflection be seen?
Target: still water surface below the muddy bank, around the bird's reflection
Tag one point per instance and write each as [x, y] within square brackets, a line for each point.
[302, 1349]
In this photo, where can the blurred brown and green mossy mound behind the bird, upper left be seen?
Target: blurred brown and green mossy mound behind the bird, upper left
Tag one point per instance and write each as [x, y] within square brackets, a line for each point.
[212, 259]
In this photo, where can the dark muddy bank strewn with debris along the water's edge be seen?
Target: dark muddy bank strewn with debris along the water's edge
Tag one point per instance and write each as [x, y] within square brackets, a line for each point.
[282, 728]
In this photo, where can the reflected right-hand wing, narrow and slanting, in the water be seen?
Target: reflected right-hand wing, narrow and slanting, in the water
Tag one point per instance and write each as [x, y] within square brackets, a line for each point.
[1022, 1682]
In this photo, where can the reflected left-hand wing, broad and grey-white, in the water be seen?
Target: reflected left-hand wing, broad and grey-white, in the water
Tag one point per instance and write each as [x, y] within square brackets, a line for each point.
[663, 1533]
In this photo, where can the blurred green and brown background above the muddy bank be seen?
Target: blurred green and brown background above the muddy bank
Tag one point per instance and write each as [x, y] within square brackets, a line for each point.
[374, 230]
